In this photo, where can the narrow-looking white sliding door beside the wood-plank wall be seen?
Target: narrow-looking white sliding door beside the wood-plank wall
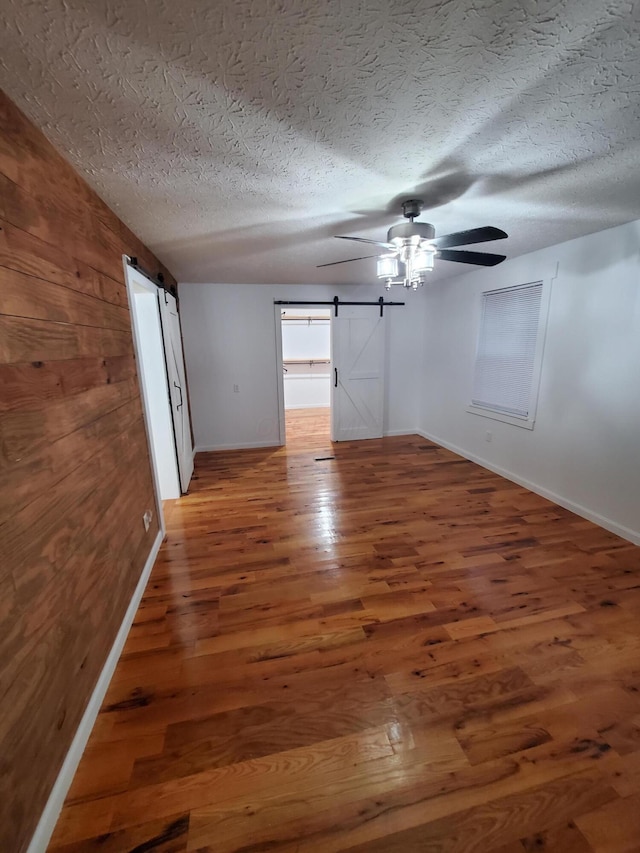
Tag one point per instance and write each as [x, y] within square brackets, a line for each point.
[177, 386]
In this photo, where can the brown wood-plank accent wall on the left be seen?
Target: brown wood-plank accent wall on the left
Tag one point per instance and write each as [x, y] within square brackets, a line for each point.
[75, 474]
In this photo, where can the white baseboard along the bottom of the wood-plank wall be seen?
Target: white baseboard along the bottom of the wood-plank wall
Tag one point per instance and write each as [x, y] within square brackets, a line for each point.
[49, 817]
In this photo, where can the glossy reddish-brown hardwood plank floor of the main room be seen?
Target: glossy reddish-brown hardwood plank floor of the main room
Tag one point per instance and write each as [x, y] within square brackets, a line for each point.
[373, 646]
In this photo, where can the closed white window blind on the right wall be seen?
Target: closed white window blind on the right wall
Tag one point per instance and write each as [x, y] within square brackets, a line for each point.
[506, 349]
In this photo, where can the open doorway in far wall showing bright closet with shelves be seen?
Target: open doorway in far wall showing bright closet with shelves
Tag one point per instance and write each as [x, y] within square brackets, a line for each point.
[306, 371]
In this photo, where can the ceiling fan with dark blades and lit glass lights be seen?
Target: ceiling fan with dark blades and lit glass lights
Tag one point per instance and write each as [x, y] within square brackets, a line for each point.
[412, 248]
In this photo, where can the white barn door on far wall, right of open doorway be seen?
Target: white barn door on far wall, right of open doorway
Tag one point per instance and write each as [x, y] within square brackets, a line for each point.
[358, 342]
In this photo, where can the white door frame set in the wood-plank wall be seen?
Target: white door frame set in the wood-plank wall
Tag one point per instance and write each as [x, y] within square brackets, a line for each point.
[137, 282]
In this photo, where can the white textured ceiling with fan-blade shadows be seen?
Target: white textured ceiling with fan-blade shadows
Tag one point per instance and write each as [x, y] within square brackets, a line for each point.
[237, 136]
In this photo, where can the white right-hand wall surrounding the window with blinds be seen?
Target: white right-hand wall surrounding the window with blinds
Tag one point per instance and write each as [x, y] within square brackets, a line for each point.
[584, 451]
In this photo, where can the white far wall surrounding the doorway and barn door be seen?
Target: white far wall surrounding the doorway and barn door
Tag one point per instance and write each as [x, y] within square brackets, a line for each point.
[230, 339]
